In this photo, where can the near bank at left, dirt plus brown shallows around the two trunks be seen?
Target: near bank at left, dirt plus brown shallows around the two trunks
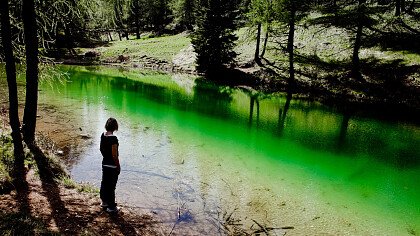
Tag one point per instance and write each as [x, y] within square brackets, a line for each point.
[62, 205]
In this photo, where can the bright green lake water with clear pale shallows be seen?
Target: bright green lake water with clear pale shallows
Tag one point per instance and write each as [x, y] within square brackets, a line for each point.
[193, 153]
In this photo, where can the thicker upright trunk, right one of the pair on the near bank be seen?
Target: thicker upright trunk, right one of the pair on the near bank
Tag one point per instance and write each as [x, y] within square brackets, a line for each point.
[31, 47]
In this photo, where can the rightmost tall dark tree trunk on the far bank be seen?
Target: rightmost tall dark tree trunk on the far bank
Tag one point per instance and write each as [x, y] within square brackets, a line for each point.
[357, 44]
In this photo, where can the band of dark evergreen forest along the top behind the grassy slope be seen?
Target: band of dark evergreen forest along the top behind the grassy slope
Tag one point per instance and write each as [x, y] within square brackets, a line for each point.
[68, 24]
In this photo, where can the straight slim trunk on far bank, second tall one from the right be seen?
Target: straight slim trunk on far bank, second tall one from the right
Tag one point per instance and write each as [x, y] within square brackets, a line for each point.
[290, 47]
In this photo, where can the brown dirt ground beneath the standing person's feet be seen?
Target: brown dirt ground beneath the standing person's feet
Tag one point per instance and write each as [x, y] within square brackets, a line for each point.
[69, 212]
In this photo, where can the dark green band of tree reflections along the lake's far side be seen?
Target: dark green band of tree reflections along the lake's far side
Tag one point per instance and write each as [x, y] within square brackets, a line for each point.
[307, 123]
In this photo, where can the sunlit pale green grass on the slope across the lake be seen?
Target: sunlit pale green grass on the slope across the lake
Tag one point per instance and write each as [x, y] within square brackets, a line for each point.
[330, 44]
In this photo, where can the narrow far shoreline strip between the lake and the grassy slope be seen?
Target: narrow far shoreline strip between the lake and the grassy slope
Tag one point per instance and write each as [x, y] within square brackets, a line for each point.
[256, 79]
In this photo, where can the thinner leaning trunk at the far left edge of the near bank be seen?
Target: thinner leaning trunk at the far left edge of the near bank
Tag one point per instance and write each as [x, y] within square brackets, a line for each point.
[11, 80]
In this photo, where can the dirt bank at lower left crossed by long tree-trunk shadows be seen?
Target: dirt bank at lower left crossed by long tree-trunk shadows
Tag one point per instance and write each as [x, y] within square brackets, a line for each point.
[41, 205]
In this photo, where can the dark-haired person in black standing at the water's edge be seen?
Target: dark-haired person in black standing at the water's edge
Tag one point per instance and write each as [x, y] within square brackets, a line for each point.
[110, 166]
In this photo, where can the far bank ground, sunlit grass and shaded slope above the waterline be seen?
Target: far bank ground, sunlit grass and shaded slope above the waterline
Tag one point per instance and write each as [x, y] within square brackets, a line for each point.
[390, 85]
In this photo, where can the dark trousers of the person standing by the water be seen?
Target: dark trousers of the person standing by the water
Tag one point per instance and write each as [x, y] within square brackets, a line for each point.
[108, 184]
